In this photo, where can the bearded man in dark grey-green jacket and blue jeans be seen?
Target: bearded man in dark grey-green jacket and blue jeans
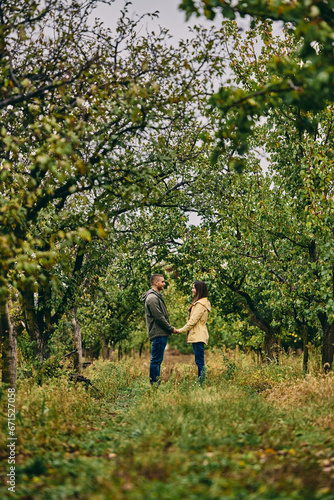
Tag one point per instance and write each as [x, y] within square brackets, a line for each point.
[157, 322]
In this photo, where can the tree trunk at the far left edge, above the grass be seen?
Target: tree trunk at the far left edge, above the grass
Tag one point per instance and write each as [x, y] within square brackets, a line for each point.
[9, 346]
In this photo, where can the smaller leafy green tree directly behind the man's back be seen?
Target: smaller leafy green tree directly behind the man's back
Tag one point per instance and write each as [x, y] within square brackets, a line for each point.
[115, 277]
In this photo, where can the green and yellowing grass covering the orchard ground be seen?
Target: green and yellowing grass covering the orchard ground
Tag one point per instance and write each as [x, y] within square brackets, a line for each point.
[249, 433]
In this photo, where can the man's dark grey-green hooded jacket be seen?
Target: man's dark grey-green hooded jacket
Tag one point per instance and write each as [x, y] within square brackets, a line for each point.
[157, 320]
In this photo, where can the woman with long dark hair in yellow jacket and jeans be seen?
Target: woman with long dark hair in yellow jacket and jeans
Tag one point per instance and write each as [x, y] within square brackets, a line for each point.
[196, 325]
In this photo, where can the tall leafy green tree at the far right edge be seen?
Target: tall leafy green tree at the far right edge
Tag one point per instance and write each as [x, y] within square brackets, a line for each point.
[295, 224]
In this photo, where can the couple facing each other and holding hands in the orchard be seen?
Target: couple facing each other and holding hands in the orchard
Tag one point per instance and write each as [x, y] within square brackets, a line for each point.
[159, 328]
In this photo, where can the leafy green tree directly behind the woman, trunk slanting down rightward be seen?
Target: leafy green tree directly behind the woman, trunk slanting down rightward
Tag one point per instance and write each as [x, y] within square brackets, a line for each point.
[220, 253]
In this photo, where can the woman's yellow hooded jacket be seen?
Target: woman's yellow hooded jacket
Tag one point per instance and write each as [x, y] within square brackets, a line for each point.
[196, 325]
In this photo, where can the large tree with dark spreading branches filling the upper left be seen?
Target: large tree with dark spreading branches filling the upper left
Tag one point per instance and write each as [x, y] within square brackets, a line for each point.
[92, 131]
